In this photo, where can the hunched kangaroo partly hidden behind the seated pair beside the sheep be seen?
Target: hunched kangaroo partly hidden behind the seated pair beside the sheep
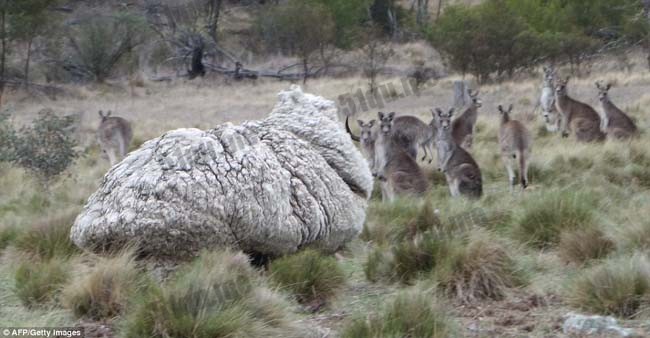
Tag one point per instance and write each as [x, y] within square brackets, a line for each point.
[412, 133]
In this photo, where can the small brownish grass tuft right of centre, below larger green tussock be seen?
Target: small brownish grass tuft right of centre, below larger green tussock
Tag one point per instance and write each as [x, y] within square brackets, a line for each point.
[581, 245]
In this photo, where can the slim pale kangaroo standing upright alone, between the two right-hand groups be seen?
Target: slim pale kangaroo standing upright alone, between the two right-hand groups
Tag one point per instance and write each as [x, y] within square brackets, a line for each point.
[515, 142]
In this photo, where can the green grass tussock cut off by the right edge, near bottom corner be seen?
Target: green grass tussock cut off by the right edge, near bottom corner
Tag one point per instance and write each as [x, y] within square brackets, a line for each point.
[618, 287]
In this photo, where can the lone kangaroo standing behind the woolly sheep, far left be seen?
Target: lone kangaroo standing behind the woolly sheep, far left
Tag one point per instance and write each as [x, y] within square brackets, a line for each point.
[114, 136]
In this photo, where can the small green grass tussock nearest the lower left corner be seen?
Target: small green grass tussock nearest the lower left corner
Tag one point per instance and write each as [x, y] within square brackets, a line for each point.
[37, 283]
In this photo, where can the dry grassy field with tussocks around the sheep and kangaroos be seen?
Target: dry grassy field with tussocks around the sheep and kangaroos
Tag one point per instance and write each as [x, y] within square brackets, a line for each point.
[507, 265]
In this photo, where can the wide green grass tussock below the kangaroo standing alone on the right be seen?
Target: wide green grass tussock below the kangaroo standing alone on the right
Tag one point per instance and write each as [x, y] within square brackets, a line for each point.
[544, 216]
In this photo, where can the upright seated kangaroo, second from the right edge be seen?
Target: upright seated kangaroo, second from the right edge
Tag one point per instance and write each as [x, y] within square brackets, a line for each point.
[577, 116]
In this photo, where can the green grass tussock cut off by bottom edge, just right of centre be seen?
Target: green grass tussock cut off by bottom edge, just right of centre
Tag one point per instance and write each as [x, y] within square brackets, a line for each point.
[412, 313]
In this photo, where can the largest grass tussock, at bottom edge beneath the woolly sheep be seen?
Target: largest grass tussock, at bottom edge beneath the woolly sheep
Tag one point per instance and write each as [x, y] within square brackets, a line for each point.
[218, 295]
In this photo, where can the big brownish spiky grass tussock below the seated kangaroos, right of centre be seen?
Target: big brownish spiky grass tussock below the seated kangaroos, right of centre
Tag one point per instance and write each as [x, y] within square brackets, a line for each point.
[480, 269]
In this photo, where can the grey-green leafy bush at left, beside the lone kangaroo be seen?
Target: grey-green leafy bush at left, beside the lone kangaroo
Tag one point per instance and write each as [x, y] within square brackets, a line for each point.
[46, 148]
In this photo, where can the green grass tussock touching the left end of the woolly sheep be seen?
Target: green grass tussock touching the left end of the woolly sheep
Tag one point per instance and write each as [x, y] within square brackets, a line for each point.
[49, 237]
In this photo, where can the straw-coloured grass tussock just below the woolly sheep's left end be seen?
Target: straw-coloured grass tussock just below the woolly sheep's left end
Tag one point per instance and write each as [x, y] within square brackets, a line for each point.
[105, 291]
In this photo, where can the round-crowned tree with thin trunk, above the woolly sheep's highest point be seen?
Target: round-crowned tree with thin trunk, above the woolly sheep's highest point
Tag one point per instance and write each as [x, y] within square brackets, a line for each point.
[299, 28]
